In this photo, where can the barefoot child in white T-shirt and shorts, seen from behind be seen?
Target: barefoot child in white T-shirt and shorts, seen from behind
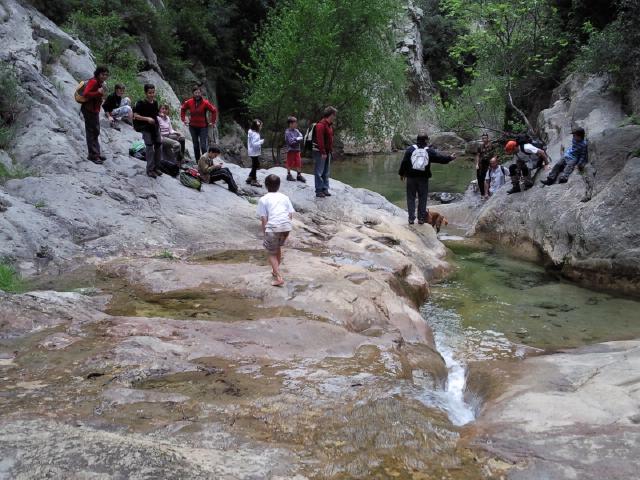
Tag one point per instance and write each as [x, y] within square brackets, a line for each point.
[275, 212]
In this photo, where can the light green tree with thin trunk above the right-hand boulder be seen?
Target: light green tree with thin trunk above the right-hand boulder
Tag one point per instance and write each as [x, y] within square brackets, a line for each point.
[517, 41]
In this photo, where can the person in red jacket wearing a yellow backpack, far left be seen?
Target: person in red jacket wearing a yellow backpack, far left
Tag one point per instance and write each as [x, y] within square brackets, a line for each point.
[94, 93]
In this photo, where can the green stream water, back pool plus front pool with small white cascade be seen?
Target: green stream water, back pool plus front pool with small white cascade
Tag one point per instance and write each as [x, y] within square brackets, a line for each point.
[493, 307]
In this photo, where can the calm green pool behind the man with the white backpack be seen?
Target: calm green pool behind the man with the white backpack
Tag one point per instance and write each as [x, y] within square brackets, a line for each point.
[380, 174]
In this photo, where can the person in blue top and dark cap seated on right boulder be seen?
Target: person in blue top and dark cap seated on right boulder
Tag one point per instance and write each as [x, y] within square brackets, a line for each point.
[575, 156]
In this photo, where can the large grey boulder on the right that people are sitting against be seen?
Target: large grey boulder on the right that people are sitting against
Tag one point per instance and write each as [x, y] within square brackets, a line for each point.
[595, 242]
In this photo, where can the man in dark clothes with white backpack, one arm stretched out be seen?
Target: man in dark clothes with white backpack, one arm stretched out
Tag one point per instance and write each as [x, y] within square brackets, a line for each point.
[416, 170]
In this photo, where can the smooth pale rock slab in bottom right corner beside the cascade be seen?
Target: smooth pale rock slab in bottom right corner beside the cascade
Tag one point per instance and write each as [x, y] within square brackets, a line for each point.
[569, 415]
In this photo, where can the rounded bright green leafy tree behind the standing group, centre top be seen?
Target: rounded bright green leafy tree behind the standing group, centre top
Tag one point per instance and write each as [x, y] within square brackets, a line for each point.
[311, 54]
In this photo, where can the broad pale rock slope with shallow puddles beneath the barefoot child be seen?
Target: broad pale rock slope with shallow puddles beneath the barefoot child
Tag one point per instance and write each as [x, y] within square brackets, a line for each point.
[163, 350]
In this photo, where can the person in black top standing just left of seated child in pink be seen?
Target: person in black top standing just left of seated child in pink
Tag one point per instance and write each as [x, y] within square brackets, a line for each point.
[145, 117]
